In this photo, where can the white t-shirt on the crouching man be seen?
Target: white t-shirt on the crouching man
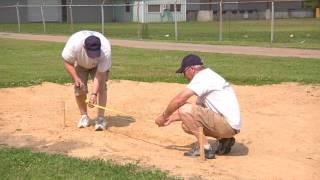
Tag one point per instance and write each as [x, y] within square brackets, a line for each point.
[216, 94]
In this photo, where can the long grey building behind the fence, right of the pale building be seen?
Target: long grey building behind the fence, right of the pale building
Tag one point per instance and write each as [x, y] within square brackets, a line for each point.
[208, 10]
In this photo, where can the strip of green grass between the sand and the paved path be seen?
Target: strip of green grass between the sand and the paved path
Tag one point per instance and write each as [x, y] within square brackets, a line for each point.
[24, 63]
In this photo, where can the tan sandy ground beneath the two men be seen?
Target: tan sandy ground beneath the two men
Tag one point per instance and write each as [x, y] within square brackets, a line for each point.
[279, 140]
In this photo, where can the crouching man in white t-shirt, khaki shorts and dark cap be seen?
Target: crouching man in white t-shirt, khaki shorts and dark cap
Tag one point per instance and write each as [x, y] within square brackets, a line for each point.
[216, 108]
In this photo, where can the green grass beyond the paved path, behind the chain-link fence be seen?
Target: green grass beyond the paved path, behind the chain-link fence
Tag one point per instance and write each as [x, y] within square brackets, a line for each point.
[305, 32]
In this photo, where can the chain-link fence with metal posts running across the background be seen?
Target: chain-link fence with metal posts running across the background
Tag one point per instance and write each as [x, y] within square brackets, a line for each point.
[200, 21]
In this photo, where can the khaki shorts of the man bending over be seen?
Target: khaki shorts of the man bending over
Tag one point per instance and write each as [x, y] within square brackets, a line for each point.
[84, 74]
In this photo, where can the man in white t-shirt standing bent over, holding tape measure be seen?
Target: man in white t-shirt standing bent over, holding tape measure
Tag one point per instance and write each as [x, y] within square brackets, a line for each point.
[88, 53]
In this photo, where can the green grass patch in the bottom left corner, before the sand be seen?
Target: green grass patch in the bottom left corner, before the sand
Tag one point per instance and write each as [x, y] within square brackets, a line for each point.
[25, 164]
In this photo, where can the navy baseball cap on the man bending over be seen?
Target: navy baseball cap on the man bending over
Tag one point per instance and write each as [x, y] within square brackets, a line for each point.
[92, 45]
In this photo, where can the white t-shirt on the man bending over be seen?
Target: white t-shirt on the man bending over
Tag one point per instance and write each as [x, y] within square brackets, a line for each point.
[75, 53]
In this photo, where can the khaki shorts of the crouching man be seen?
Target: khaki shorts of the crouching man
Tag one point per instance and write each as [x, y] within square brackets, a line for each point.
[214, 124]
